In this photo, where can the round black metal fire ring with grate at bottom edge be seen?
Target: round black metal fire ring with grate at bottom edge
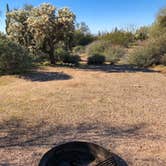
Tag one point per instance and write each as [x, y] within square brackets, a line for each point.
[80, 154]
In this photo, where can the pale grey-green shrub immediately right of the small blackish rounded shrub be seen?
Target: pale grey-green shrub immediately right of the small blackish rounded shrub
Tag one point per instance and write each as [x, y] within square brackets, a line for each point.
[113, 54]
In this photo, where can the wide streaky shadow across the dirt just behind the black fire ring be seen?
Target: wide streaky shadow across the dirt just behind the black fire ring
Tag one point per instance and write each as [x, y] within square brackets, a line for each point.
[15, 132]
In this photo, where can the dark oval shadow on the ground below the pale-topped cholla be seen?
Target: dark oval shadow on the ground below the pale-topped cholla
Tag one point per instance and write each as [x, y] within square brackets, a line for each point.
[42, 76]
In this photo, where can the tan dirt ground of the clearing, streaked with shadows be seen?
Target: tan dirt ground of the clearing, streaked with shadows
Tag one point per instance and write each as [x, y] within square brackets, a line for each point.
[118, 107]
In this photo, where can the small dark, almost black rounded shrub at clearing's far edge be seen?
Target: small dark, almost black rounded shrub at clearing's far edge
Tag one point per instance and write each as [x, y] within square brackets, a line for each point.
[96, 59]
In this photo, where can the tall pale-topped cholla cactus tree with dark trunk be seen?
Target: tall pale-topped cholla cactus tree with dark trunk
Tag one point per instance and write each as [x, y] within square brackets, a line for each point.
[41, 28]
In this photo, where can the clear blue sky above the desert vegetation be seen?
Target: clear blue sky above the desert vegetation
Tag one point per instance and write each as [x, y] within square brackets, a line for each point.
[99, 15]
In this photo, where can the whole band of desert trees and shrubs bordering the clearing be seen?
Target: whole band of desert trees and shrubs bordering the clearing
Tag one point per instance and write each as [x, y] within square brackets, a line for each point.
[45, 33]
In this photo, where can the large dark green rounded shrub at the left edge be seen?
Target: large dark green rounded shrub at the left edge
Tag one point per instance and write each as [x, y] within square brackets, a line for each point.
[13, 57]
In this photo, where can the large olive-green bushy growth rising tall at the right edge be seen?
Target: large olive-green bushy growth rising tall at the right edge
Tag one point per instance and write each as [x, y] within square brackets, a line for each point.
[153, 49]
